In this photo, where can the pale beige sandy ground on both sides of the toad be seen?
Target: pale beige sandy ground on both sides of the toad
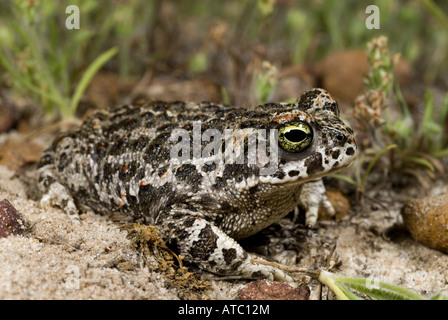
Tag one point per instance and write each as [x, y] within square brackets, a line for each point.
[59, 259]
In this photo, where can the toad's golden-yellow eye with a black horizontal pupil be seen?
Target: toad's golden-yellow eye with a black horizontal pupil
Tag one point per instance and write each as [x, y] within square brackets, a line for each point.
[295, 136]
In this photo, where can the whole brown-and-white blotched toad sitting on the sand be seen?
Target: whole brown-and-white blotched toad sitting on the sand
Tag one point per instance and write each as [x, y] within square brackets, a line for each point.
[205, 174]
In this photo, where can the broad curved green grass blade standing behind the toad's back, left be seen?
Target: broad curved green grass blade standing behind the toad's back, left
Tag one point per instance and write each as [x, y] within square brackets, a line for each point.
[87, 77]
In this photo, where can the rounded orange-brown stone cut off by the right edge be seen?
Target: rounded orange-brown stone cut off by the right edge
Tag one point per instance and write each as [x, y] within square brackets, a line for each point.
[427, 221]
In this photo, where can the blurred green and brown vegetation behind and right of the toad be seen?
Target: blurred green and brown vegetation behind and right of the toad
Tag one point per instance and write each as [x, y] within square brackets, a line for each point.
[244, 52]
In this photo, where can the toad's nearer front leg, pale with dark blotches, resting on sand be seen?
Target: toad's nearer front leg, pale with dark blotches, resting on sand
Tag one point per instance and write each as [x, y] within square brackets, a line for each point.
[212, 250]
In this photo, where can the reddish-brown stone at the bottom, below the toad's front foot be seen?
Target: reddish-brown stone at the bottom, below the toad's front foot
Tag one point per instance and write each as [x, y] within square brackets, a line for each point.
[272, 290]
